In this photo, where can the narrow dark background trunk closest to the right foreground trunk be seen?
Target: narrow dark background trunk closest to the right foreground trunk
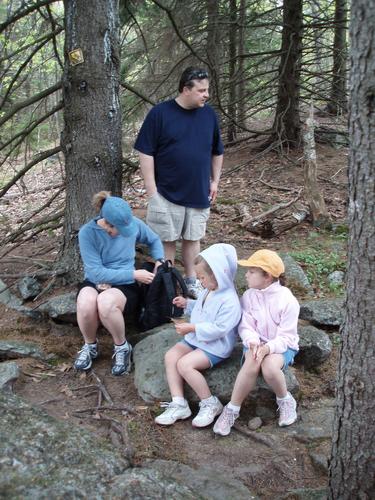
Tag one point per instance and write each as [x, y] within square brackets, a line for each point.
[338, 103]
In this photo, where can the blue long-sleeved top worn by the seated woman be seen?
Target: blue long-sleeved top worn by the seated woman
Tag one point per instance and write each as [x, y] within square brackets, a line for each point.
[111, 259]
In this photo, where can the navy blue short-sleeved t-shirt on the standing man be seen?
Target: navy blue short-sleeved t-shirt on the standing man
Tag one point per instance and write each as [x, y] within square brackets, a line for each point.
[182, 142]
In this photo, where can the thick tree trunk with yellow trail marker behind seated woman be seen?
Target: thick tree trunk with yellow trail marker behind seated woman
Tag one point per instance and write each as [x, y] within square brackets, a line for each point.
[91, 140]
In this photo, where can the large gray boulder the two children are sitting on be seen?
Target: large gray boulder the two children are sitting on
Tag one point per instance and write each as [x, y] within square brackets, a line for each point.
[151, 382]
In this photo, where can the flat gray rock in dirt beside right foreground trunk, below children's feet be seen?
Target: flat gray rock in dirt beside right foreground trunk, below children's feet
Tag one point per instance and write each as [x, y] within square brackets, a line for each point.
[313, 424]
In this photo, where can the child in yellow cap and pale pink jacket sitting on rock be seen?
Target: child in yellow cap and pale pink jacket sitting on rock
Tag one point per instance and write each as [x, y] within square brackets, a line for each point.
[268, 330]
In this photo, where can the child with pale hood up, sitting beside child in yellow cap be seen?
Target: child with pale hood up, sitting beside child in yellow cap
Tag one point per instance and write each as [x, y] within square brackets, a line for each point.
[209, 337]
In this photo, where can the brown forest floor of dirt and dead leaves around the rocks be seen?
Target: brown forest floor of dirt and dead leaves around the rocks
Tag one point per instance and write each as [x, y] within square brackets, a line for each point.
[263, 181]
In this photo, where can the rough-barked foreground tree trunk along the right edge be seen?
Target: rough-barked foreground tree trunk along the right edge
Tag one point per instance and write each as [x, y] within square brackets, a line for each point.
[352, 470]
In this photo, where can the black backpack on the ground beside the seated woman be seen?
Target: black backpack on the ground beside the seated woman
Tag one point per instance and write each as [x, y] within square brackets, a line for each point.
[157, 307]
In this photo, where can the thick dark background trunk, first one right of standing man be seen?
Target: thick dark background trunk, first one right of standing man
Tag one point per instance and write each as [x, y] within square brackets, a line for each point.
[286, 126]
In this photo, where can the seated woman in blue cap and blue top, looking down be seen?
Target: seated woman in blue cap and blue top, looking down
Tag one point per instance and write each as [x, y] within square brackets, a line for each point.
[110, 290]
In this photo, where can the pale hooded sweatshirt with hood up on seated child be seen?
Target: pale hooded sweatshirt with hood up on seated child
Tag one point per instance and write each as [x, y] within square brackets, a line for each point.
[217, 317]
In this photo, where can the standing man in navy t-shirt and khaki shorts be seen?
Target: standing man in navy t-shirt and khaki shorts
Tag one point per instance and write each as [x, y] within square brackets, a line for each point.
[181, 155]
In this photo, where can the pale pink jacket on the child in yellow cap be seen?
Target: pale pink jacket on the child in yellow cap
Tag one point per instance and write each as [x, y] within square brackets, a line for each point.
[270, 316]
